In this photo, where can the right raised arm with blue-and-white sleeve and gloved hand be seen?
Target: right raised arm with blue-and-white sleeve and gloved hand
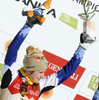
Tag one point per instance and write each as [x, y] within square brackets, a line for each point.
[57, 78]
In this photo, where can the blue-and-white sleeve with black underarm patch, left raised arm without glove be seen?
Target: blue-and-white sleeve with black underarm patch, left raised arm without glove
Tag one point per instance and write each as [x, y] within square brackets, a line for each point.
[9, 70]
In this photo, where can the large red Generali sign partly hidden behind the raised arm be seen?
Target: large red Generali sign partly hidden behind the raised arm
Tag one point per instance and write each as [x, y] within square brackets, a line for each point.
[56, 63]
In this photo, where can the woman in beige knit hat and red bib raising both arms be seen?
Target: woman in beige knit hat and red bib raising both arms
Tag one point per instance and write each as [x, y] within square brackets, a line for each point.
[28, 83]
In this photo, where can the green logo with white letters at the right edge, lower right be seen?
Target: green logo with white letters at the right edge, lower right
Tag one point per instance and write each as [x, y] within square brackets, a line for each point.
[93, 84]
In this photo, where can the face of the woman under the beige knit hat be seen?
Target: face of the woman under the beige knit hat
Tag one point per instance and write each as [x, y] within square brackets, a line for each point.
[36, 76]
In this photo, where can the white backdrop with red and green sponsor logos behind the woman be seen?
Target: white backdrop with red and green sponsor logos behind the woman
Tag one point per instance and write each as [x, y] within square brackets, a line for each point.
[58, 38]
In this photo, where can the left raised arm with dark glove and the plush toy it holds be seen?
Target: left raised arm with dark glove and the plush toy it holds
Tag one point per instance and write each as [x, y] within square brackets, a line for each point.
[9, 71]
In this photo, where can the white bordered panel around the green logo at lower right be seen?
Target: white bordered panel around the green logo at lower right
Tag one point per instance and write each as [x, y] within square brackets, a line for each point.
[90, 84]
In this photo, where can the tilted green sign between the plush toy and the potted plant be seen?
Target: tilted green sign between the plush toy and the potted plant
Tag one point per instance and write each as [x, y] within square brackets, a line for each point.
[72, 22]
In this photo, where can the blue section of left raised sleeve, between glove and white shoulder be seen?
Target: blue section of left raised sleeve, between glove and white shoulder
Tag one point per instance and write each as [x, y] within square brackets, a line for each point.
[15, 44]
